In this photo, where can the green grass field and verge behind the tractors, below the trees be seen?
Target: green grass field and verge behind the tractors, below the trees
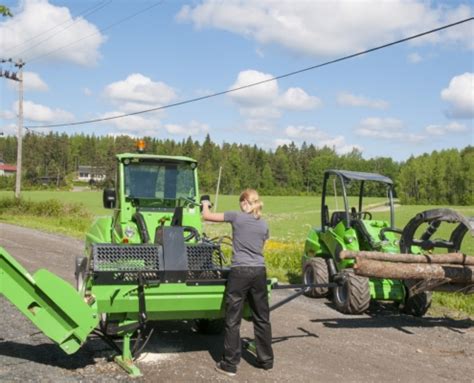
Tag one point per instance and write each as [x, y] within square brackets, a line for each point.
[289, 218]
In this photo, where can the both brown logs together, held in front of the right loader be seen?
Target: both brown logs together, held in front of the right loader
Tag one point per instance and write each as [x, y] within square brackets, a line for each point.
[451, 267]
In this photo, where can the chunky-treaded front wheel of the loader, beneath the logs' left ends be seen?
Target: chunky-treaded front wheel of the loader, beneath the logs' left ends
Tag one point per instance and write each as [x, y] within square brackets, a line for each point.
[352, 296]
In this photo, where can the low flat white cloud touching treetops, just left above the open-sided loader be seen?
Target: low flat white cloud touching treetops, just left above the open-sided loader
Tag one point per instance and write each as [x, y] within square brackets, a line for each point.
[317, 137]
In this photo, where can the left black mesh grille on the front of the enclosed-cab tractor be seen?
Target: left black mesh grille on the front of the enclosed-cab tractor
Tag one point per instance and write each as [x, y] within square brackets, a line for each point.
[126, 258]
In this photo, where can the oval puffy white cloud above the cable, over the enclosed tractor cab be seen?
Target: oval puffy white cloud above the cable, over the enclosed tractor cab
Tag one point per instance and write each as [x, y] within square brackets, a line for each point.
[137, 92]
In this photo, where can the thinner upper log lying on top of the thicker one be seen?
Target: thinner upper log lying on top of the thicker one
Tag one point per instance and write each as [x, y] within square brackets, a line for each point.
[447, 258]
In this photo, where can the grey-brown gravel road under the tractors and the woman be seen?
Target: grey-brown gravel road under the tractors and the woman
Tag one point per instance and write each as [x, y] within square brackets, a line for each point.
[312, 341]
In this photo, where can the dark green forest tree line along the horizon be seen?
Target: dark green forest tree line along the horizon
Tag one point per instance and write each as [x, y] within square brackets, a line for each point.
[441, 177]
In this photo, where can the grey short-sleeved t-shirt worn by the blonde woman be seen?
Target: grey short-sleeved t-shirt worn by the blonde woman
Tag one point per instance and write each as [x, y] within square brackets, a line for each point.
[249, 236]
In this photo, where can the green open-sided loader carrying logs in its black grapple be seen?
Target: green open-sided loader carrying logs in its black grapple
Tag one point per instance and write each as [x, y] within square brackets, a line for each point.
[333, 252]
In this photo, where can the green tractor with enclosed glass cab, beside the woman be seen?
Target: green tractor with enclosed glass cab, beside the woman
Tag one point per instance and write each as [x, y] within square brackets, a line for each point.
[150, 260]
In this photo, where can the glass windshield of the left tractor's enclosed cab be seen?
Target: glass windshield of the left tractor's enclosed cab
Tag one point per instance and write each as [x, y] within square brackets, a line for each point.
[157, 181]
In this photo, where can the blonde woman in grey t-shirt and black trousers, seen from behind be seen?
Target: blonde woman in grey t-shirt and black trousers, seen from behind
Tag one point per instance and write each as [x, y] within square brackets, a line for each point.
[247, 281]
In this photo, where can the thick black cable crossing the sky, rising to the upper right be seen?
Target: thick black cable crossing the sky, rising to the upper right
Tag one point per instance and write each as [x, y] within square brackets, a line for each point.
[256, 83]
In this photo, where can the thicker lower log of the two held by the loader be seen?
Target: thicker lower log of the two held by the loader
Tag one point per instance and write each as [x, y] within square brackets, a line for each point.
[396, 270]
